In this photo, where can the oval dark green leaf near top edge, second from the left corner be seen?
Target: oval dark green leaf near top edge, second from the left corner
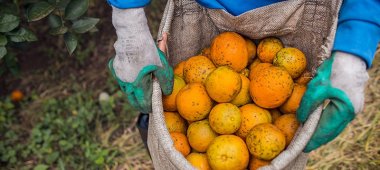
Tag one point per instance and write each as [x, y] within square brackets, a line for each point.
[39, 10]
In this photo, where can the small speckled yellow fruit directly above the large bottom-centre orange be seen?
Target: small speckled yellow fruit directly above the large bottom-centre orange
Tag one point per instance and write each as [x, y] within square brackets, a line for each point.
[225, 118]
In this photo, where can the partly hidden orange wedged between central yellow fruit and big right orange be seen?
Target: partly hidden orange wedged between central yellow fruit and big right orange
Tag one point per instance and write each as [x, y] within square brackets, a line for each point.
[243, 97]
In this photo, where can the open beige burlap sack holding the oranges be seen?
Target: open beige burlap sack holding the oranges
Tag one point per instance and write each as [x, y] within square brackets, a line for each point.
[309, 25]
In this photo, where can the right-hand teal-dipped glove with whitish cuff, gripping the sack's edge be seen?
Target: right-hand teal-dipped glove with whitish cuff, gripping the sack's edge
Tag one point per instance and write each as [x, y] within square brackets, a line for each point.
[340, 79]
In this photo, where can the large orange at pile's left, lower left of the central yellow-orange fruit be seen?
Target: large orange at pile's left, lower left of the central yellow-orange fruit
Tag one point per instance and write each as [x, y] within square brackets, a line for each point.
[193, 103]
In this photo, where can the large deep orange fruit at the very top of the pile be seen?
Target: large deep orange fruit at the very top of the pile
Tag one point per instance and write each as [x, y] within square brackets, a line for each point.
[229, 49]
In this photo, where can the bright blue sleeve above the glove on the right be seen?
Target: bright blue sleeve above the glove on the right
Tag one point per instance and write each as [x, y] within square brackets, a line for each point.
[358, 31]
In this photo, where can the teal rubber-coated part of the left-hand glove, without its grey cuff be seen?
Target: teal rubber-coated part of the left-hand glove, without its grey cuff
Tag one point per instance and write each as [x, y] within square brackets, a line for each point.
[139, 92]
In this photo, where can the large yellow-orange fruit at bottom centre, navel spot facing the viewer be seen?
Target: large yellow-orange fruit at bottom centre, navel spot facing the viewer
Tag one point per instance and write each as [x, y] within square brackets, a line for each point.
[228, 152]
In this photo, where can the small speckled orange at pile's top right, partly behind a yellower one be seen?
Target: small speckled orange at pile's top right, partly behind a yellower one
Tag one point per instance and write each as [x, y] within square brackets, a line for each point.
[268, 48]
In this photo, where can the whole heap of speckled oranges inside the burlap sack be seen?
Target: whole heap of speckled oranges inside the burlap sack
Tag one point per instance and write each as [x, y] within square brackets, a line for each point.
[233, 105]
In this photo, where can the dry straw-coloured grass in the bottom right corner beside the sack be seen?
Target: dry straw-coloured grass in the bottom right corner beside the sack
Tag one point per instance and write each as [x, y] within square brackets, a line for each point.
[358, 147]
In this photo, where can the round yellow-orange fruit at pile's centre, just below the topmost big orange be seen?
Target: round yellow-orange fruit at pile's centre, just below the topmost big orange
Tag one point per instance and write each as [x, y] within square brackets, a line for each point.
[223, 84]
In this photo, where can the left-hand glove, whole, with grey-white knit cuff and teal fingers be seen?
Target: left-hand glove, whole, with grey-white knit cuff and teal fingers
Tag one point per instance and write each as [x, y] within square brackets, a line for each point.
[137, 58]
